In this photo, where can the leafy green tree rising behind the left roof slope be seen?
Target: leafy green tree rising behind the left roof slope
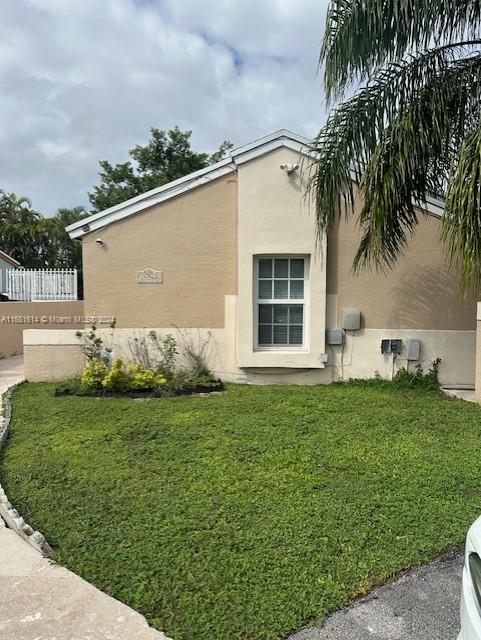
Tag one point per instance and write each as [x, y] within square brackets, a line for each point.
[167, 156]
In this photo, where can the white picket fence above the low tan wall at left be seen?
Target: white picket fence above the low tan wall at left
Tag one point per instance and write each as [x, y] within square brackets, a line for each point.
[41, 284]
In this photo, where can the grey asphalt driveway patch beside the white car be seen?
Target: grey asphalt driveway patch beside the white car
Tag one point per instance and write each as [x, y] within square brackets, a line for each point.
[421, 605]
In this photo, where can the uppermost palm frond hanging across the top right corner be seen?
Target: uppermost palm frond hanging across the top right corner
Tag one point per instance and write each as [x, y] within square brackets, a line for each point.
[361, 35]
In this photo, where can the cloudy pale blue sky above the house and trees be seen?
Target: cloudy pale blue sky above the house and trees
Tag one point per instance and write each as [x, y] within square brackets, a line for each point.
[84, 80]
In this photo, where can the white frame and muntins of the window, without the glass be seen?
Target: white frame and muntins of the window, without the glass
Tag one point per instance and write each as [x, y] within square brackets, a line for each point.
[284, 301]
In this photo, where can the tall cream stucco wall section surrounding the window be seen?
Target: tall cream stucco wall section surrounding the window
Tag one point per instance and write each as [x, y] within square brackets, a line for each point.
[274, 219]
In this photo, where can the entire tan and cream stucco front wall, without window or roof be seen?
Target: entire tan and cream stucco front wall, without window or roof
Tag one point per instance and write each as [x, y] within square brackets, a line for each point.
[205, 242]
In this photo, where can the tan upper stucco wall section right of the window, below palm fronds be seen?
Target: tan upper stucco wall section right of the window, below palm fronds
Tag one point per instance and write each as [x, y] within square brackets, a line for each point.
[421, 292]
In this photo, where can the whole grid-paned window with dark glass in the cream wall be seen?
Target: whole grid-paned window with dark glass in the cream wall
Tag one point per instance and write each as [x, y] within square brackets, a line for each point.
[280, 302]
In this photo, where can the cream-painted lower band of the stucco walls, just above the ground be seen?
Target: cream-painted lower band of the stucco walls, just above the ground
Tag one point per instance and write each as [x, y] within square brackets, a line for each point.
[55, 355]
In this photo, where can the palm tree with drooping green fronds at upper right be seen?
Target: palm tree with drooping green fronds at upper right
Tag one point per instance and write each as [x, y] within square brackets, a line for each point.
[411, 130]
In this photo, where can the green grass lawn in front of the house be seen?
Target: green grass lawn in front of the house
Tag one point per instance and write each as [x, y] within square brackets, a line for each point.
[248, 514]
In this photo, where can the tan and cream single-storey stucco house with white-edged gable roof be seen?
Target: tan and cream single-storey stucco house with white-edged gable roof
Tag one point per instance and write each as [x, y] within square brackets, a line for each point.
[229, 255]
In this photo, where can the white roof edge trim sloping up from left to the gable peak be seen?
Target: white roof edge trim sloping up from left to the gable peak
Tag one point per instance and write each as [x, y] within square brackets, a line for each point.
[236, 157]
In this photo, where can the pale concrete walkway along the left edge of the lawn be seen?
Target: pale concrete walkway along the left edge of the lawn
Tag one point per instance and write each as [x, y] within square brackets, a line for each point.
[41, 601]
